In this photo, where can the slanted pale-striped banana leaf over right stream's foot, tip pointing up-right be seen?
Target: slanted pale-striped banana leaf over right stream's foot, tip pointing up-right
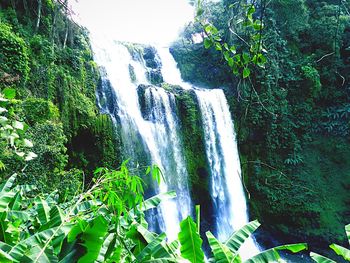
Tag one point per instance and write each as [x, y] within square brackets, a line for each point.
[241, 235]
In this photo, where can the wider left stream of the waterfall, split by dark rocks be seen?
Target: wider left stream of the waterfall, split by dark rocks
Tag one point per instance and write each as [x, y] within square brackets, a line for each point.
[155, 131]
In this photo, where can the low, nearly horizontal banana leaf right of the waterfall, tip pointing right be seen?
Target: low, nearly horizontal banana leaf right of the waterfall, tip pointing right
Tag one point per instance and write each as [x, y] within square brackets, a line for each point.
[272, 255]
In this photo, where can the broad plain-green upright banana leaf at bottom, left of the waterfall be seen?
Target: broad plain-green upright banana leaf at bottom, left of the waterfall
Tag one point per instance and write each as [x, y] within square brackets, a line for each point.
[93, 238]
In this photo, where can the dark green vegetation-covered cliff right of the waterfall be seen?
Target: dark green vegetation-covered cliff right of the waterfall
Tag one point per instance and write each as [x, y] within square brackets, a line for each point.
[290, 111]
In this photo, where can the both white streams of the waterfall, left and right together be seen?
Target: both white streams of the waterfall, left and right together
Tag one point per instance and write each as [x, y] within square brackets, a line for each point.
[153, 130]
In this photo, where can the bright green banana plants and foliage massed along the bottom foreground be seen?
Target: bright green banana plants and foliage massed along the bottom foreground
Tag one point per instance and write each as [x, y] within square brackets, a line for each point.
[105, 224]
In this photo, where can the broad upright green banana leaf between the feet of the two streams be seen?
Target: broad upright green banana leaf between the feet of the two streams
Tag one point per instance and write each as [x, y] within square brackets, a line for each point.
[191, 242]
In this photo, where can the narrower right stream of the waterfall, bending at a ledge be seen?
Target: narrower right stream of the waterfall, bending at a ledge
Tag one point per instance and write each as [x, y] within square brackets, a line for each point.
[227, 190]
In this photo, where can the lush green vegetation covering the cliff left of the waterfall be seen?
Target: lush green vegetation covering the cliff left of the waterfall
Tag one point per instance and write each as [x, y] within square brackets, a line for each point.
[47, 59]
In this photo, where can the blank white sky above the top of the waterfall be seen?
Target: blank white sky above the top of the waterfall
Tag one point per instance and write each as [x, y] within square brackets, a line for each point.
[140, 21]
